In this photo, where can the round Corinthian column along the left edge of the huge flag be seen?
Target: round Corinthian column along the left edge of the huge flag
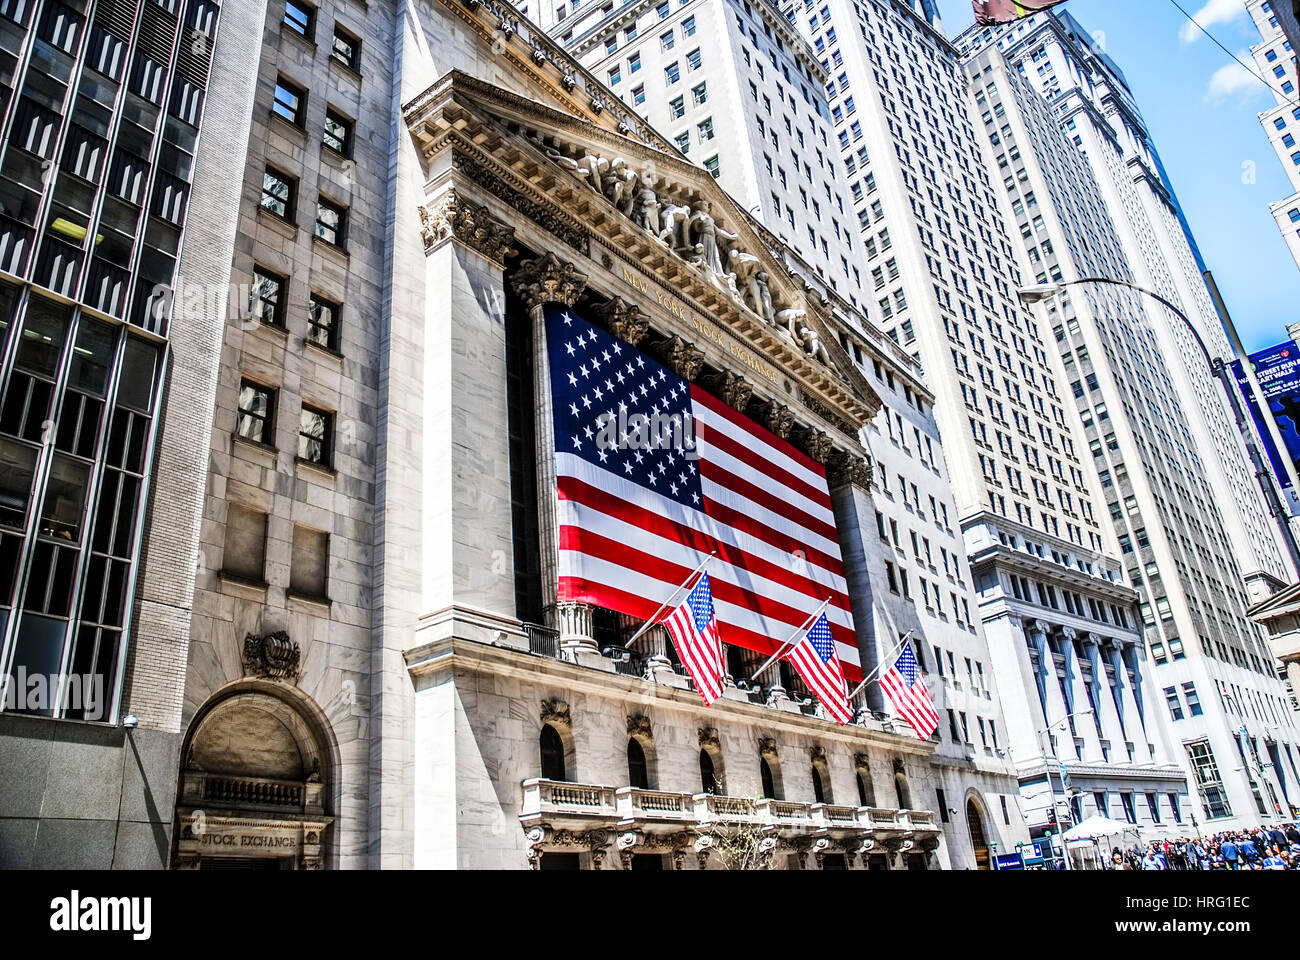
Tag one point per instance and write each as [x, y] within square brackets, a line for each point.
[540, 282]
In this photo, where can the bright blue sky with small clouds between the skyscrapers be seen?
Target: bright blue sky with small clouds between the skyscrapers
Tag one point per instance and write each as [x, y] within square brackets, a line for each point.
[1204, 137]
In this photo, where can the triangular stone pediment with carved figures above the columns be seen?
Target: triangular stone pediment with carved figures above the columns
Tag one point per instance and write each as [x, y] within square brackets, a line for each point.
[664, 213]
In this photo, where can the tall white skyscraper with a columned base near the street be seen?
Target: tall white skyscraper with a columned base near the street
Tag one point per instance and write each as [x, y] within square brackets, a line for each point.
[1060, 617]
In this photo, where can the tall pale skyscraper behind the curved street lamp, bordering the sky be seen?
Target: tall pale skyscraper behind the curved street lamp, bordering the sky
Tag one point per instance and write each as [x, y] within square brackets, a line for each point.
[1081, 178]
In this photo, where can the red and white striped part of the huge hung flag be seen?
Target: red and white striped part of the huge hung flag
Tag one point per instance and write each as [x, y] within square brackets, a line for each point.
[766, 512]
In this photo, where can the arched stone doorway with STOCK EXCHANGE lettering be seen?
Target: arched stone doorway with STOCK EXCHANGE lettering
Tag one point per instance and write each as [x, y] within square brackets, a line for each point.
[255, 782]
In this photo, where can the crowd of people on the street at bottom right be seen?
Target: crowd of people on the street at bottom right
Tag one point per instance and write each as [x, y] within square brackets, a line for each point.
[1263, 849]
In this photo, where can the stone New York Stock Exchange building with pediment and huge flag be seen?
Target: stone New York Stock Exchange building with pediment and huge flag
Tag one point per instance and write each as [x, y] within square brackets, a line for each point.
[359, 637]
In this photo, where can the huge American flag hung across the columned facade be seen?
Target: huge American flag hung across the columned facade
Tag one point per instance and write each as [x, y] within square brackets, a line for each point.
[635, 522]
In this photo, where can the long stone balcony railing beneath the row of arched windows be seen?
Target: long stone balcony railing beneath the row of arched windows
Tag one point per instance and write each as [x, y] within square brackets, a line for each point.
[587, 806]
